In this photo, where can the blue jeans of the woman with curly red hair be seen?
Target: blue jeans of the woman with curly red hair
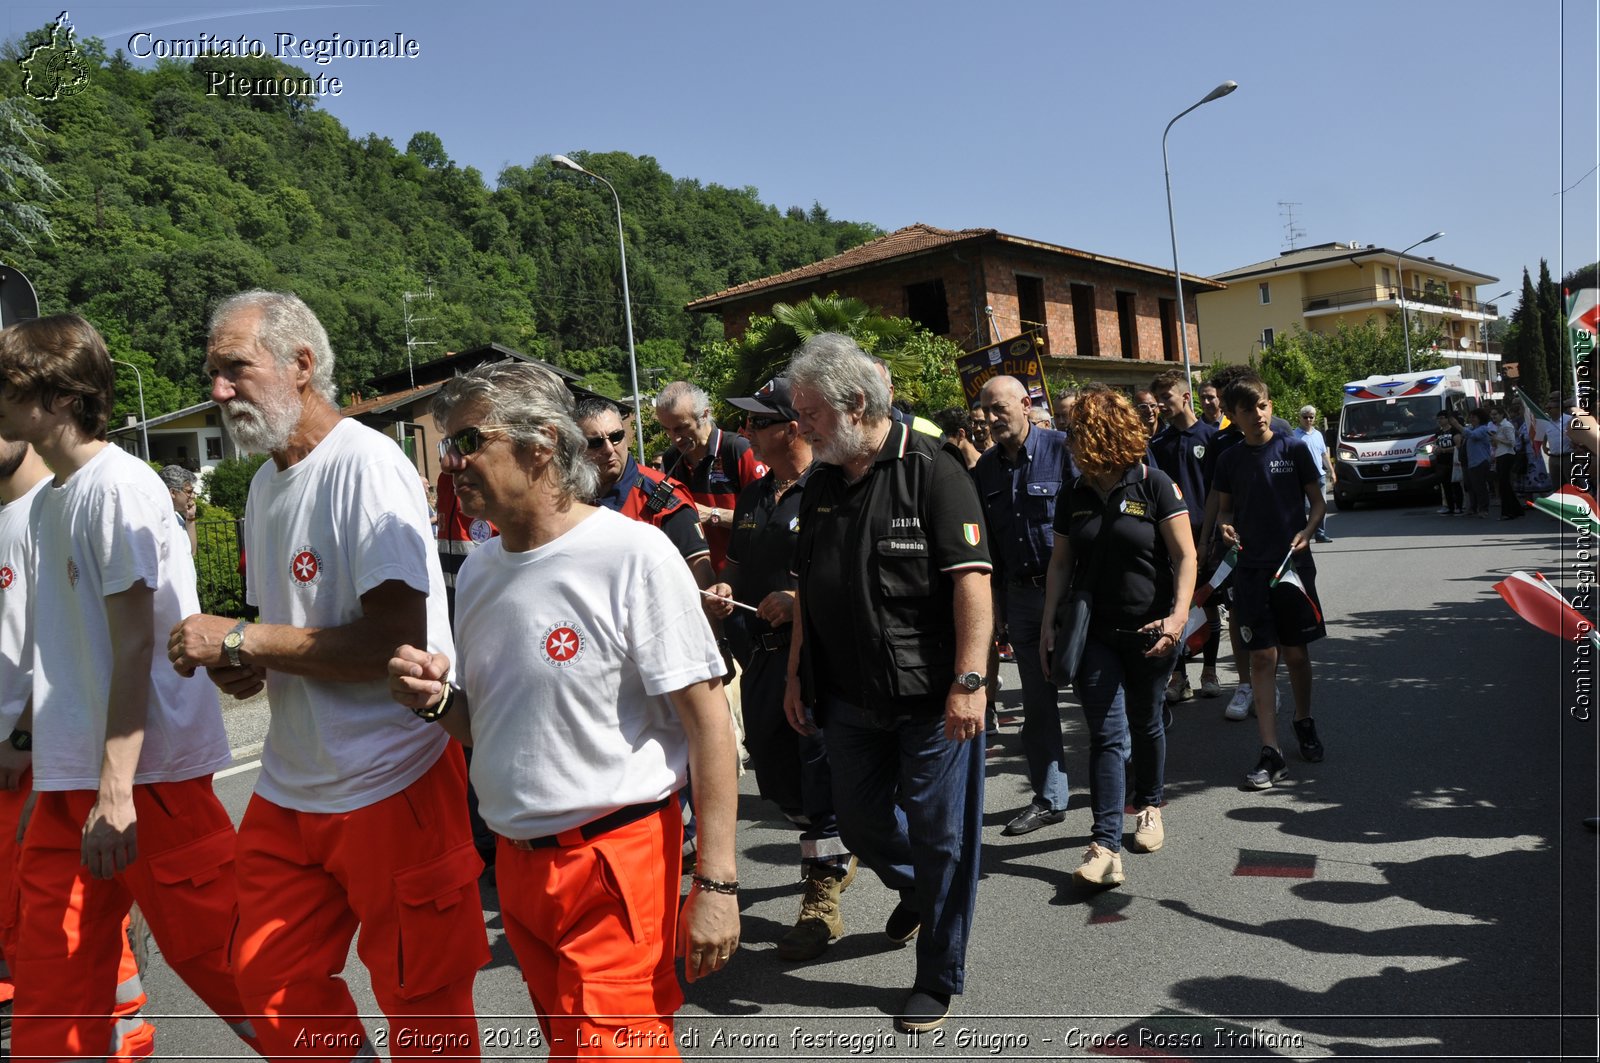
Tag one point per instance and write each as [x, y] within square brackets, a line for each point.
[1122, 691]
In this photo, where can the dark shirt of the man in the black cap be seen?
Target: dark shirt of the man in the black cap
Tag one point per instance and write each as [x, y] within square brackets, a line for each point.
[762, 548]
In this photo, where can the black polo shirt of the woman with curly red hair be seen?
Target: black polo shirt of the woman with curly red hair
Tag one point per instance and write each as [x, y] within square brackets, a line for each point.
[1134, 577]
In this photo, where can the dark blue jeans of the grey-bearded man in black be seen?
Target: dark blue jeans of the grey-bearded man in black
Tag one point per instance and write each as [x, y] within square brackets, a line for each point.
[911, 806]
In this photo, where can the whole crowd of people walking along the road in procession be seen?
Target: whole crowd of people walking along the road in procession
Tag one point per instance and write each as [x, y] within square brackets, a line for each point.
[532, 673]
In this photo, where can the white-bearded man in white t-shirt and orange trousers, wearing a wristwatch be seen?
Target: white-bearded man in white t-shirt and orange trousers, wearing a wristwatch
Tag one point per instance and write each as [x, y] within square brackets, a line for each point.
[361, 816]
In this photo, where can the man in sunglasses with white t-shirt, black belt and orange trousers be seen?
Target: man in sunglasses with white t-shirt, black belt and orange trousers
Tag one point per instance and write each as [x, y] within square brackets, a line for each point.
[590, 686]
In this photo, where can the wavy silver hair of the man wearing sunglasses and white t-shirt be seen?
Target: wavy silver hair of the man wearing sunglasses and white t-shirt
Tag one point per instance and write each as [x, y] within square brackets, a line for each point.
[540, 412]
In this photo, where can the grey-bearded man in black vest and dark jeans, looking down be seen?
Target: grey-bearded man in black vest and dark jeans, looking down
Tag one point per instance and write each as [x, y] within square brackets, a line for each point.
[894, 630]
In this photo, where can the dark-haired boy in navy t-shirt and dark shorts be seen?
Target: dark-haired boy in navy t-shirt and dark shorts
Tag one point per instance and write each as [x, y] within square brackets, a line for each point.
[1265, 486]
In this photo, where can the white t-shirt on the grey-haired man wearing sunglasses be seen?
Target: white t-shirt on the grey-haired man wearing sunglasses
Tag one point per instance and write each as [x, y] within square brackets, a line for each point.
[567, 656]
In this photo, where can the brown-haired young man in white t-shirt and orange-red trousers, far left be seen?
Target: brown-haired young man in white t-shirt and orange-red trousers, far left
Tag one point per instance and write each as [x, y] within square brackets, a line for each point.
[122, 748]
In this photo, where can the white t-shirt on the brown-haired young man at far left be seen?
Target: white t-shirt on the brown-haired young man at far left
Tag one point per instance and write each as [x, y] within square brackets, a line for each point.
[110, 527]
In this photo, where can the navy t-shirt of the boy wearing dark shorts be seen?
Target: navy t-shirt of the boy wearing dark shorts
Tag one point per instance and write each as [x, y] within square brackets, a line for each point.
[1268, 495]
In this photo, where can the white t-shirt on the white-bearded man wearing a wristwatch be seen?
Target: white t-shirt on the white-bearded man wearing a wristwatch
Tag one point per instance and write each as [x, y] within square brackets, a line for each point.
[318, 537]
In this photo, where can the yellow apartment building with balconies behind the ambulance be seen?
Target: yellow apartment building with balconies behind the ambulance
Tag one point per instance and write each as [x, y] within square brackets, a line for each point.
[1332, 284]
